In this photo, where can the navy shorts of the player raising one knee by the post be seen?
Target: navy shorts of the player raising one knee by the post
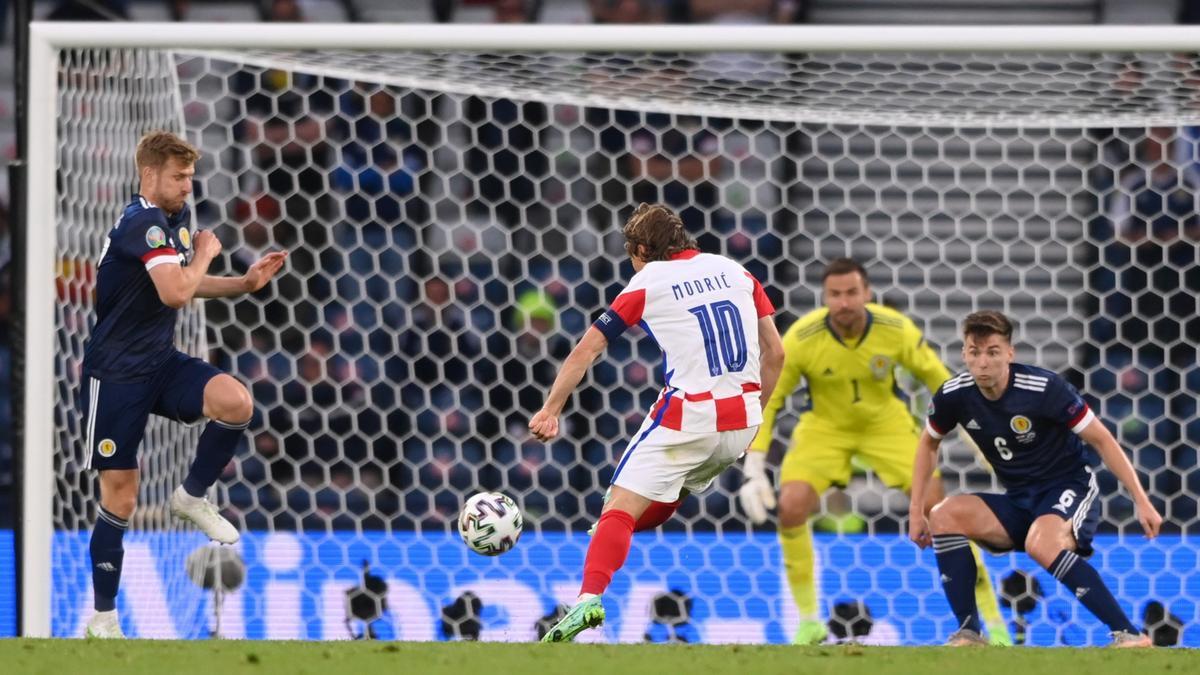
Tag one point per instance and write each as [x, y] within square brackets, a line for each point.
[116, 414]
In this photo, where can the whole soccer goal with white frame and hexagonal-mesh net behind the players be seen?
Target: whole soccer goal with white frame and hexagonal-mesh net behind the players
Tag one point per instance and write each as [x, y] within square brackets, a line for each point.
[452, 196]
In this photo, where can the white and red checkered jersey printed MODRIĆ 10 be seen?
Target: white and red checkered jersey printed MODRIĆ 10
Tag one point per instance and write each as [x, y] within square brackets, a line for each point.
[704, 313]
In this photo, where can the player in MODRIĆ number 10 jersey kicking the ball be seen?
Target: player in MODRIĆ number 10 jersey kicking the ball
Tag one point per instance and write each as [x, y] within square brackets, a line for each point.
[722, 356]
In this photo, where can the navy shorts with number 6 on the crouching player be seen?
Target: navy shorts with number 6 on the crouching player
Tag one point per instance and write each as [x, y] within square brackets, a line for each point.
[1072, 499]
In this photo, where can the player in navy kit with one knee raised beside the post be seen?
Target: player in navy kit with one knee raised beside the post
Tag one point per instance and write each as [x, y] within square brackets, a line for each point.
[152, 266]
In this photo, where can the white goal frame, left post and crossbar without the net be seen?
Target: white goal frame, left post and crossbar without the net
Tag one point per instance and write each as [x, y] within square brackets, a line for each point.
[38, 480]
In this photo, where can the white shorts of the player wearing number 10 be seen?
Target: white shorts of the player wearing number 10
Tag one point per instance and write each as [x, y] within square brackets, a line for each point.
[661, 463]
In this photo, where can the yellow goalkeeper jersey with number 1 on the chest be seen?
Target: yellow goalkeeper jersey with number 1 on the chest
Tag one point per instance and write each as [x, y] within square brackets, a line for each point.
[853, 387]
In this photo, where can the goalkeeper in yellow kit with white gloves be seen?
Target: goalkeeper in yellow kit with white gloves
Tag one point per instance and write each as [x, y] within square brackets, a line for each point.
[848, 353]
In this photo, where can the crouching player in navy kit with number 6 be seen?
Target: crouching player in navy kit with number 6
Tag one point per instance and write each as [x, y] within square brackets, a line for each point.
[1031, 426]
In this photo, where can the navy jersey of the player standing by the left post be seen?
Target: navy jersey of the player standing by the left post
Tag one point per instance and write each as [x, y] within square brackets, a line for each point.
[135, 332]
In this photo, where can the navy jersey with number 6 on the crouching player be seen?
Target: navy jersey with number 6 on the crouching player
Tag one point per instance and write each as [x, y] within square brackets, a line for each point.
[1030, 434]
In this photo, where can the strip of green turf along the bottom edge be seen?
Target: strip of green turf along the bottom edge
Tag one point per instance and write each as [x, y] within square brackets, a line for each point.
[134, 658]
